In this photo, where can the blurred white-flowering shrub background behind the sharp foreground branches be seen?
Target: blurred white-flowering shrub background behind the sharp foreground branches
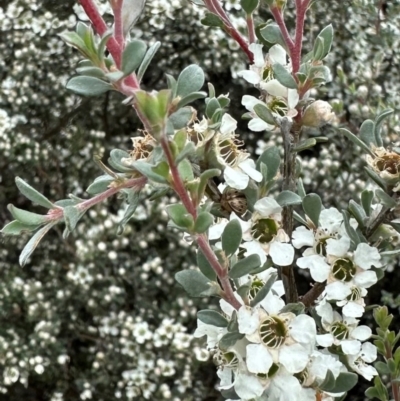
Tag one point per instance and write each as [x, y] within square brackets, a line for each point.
[99, 316]
